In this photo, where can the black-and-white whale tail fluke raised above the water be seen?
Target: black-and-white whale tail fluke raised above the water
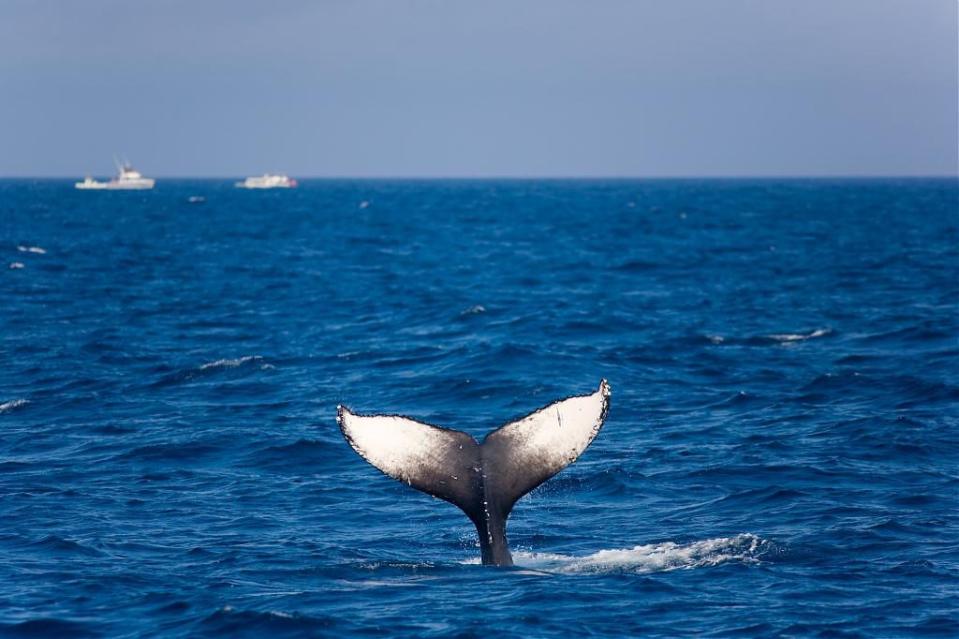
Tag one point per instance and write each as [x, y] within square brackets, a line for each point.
[483, 479]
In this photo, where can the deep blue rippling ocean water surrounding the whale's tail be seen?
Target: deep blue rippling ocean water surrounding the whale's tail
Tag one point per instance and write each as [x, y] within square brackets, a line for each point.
[781, 457]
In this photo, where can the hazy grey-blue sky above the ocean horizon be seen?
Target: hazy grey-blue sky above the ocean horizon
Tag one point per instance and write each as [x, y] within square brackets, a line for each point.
[448, 88]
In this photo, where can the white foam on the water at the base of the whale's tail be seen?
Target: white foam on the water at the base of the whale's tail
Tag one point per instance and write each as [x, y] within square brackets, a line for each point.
[743, 548]
